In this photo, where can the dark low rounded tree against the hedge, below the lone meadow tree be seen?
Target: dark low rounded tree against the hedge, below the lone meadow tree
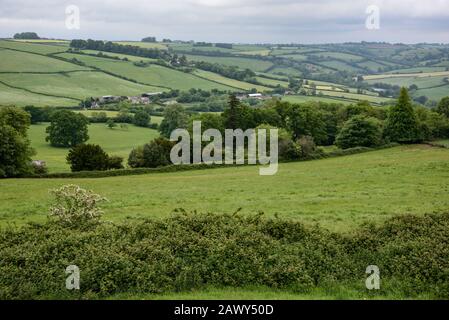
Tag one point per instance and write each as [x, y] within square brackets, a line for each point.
[88, 157]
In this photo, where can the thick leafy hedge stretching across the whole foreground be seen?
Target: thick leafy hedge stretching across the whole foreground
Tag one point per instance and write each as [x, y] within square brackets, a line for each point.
[189, 251]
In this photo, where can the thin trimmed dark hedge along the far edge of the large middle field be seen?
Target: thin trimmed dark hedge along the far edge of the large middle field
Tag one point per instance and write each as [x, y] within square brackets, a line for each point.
[175, 168]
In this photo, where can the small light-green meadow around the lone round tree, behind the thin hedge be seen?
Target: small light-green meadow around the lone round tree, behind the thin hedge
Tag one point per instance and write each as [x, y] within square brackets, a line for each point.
[115, 141]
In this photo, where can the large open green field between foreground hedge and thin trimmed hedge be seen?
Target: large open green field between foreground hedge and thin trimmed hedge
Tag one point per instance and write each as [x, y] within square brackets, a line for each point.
[338, 193]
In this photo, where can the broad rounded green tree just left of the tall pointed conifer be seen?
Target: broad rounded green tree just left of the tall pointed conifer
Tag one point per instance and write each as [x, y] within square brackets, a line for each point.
[360, 131]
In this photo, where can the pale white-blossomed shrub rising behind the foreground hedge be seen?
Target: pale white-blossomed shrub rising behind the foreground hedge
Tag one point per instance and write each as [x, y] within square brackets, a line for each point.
[75, 207]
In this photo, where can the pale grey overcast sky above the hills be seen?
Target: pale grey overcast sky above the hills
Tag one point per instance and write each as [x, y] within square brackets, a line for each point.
[244, 21]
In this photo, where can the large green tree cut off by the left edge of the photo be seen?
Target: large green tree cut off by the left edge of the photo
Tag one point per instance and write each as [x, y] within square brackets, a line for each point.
[15, 150]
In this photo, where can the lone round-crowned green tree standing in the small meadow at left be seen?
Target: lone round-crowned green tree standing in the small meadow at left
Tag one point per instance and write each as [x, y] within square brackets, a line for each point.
[67, 129]
